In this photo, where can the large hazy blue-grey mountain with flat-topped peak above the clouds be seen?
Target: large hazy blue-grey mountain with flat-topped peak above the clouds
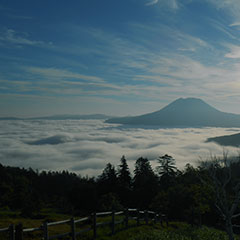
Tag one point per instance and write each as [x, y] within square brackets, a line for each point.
[188, 112]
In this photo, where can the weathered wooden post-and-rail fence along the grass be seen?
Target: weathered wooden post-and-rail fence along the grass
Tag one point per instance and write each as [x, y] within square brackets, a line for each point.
[141, 217]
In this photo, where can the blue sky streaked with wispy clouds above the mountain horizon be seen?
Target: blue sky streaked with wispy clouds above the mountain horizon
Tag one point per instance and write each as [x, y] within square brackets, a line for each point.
[118, 57]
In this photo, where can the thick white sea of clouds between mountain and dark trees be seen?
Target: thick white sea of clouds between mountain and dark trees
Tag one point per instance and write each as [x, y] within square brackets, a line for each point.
[86, 146]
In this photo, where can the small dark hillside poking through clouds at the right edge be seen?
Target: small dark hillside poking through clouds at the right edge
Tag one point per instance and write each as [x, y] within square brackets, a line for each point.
[227, 140]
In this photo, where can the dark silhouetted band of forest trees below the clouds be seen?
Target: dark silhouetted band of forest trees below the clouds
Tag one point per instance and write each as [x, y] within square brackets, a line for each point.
[193, 194]
